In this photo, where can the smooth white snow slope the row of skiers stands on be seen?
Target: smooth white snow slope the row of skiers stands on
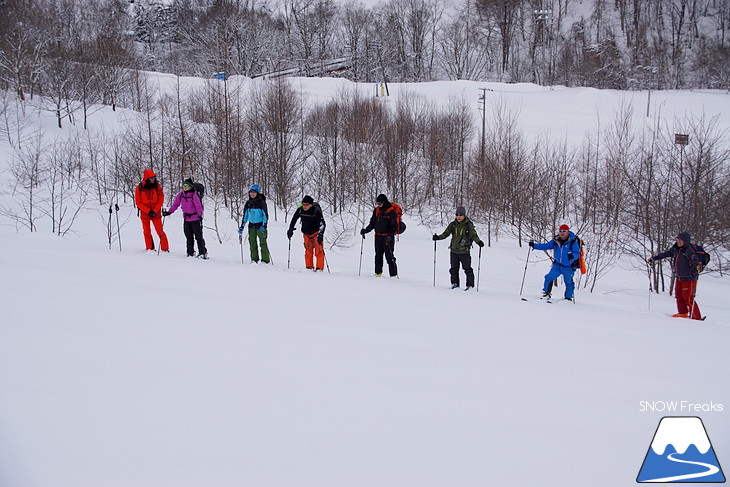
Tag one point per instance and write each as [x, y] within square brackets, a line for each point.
[129, 369]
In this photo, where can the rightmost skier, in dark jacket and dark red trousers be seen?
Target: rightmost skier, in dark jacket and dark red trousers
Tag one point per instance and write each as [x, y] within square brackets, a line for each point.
[687, 265]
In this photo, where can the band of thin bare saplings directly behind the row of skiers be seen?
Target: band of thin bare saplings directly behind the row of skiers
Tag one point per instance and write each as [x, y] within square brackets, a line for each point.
[626, 190]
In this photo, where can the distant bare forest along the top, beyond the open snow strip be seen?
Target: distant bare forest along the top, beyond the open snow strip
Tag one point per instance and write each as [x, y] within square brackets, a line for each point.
[74, 49]
